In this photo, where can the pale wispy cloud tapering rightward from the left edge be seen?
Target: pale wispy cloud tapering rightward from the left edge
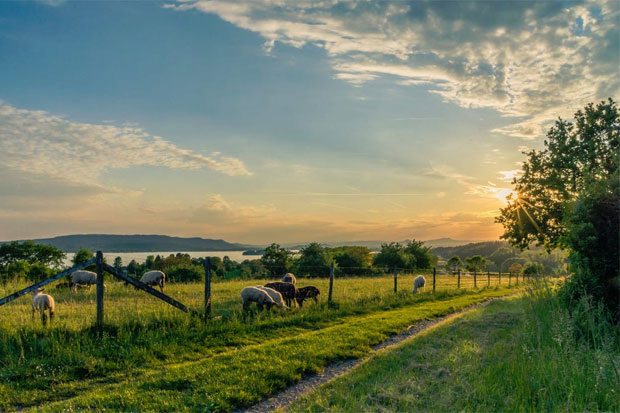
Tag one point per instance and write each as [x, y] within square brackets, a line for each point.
[42, 145]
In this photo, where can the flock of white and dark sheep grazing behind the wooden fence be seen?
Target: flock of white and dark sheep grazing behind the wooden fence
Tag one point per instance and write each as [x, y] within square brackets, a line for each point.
[281, 294]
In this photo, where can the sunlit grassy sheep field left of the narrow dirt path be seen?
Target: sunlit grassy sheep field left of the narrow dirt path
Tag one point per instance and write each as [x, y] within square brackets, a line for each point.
[152, 356]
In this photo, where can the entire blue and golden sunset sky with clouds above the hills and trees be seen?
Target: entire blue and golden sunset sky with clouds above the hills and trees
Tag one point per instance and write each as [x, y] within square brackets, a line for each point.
[276, 121]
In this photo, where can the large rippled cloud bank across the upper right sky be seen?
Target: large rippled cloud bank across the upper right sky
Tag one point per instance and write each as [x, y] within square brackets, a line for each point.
[531, 60]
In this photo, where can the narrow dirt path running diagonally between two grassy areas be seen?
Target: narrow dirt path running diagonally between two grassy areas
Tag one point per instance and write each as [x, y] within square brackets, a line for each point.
[305, 386]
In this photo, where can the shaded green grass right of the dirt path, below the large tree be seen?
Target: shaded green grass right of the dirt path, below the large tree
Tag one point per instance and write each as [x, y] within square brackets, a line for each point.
[522, 354]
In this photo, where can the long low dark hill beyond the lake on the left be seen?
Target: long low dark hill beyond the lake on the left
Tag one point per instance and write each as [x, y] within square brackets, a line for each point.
[138, 243]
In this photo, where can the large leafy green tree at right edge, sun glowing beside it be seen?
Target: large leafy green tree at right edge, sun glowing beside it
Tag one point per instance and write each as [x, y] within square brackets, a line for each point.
[568, 196]
